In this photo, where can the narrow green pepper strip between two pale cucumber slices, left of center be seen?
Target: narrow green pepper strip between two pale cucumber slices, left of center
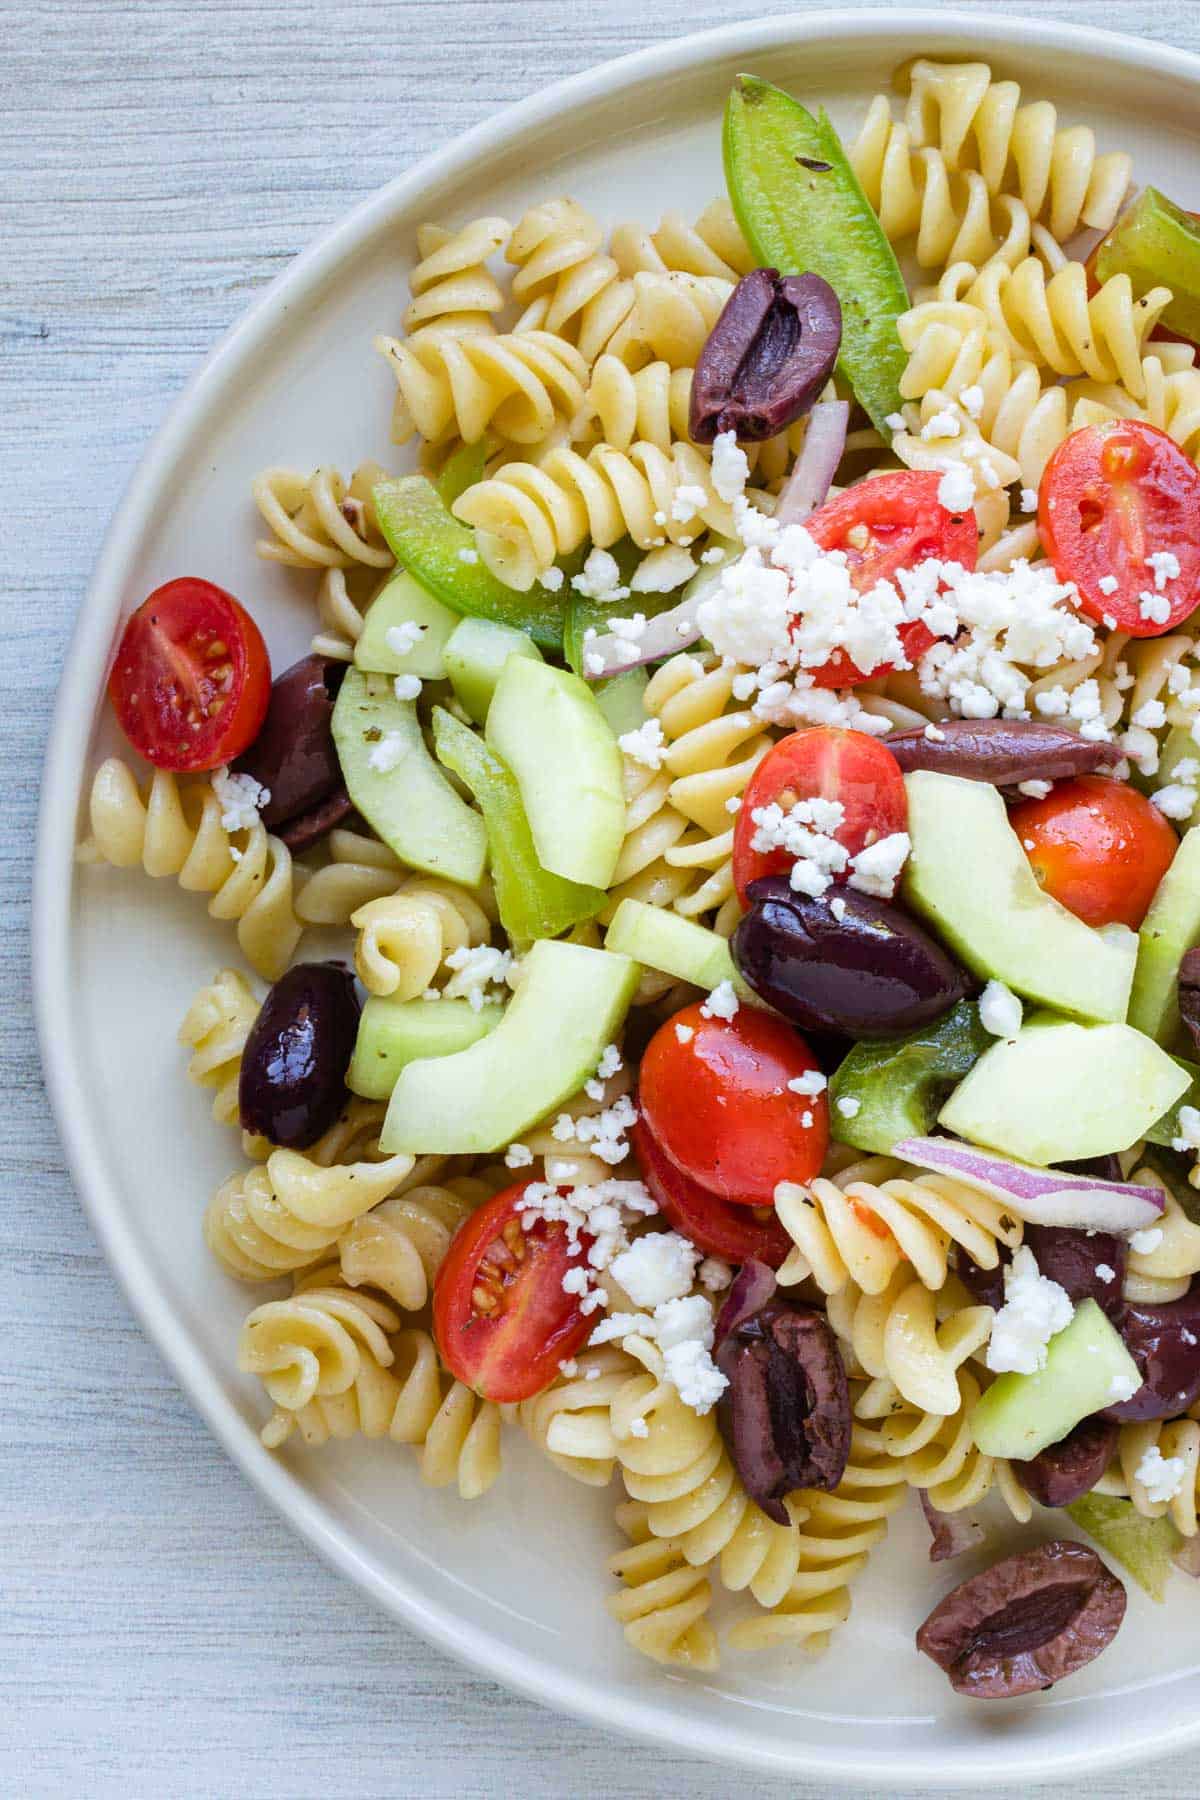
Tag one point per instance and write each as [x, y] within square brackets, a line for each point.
[533, 903]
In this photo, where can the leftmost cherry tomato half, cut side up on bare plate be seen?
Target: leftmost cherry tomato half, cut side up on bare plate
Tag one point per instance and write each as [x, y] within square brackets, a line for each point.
[192, 679]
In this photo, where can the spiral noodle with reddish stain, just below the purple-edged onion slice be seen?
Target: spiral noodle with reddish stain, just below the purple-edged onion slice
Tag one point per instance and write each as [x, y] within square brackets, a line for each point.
[861, 1225]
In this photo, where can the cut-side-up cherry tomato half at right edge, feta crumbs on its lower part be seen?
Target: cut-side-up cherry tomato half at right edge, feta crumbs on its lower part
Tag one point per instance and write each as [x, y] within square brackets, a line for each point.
[1109, 499]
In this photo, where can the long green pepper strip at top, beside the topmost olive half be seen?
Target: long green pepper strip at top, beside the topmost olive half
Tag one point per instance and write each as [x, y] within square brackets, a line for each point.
[818, 220]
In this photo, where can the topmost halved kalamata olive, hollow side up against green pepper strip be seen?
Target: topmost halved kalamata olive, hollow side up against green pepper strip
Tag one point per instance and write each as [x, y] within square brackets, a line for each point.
[767, 357]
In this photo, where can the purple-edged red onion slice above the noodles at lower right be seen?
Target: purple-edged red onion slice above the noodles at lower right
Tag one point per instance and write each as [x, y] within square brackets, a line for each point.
[1041, 1196]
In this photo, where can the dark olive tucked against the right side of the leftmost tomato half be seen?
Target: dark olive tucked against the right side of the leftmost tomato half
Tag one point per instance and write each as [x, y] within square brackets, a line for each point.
[294, 753]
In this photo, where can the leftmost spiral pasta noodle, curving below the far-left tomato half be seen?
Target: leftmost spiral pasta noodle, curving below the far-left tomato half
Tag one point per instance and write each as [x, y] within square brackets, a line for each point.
[177, 831]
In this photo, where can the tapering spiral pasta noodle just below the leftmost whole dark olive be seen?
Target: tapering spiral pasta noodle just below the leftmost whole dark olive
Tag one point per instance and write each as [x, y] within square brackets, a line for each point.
[271, 1221]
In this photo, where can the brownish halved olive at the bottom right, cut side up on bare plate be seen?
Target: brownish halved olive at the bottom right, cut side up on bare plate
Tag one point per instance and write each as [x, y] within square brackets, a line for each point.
[1026, 1623]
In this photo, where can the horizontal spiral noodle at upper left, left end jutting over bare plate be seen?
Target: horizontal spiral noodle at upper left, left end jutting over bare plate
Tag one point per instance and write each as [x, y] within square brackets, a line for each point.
[515, 384]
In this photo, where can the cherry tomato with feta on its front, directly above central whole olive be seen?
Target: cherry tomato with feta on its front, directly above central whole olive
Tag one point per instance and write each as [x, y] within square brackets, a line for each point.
[828, 764]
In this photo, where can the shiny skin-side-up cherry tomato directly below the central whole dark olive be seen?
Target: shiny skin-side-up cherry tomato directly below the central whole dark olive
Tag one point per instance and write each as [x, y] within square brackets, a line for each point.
[721, 1108]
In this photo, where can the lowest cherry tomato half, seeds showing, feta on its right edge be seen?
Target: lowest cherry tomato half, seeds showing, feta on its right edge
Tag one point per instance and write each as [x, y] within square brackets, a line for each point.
[501, 1317]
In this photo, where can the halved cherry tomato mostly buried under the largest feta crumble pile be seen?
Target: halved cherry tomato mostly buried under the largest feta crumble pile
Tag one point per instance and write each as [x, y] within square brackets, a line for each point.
[904, 525]
